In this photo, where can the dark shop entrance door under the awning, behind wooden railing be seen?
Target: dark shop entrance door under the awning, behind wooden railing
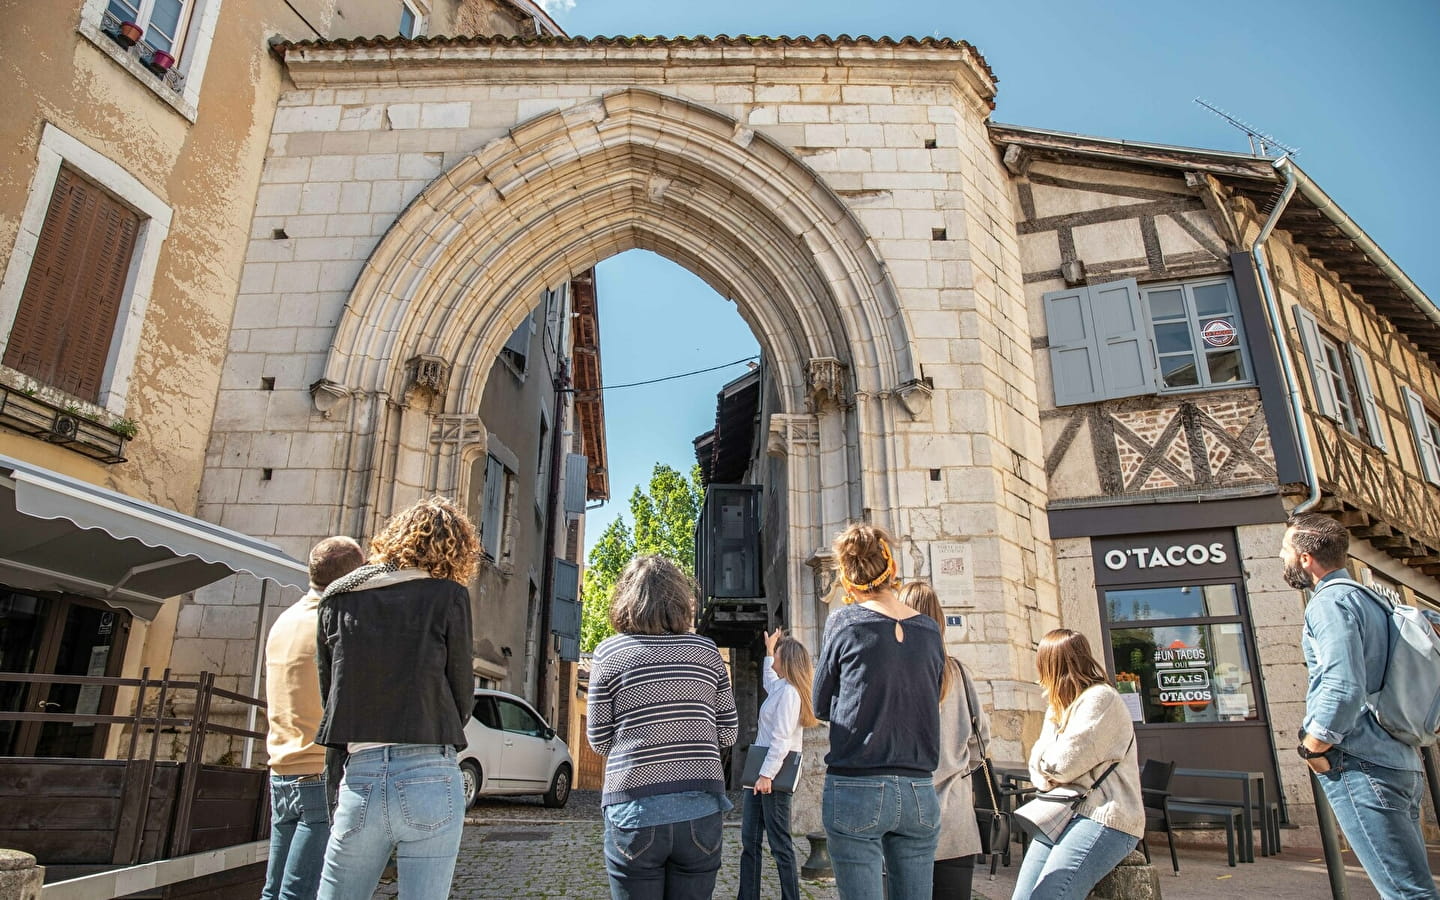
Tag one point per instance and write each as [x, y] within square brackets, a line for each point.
[58, 636]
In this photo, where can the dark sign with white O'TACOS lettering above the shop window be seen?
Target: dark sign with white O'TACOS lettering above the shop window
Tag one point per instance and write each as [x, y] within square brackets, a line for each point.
[1179, 557]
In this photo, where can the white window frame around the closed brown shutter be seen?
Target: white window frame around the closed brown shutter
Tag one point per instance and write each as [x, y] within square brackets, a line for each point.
[57, 149]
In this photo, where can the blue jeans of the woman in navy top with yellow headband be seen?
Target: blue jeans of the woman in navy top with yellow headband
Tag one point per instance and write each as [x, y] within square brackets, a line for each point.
[882, 826]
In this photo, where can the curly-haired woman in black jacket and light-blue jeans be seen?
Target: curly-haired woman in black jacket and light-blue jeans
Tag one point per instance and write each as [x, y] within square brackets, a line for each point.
[395, 675]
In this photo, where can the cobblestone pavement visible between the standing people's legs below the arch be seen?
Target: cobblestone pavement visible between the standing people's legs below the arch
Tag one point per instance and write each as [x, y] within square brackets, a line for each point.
[519, 849]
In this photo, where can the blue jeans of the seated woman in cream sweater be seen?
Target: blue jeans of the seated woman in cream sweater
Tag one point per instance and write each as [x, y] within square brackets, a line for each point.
[1071, 868]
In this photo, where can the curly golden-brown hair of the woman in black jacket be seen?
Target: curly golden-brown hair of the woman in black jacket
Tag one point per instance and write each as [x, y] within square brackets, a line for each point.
[433, 535]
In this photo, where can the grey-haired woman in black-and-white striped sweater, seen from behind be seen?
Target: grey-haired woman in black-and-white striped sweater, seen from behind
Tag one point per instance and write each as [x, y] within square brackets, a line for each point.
[660, 709]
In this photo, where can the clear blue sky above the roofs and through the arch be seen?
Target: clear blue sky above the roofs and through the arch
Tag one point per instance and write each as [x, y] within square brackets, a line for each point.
[1354, 86]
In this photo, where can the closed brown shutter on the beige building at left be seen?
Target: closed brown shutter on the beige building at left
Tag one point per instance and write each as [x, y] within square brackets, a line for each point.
[77, 282]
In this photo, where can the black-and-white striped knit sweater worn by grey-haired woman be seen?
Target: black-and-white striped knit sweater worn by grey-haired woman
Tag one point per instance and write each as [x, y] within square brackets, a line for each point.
[660, 709]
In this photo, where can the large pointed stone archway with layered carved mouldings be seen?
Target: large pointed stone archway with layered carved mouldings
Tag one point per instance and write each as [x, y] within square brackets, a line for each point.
[633, 169]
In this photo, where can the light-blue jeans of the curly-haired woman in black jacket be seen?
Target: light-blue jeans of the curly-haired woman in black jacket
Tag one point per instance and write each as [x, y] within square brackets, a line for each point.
[404, 798]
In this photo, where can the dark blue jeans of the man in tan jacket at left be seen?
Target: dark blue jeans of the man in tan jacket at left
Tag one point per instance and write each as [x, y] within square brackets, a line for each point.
[300, 827]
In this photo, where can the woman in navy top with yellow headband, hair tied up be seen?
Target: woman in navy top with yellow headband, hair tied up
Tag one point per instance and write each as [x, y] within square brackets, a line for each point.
[879, 686]
